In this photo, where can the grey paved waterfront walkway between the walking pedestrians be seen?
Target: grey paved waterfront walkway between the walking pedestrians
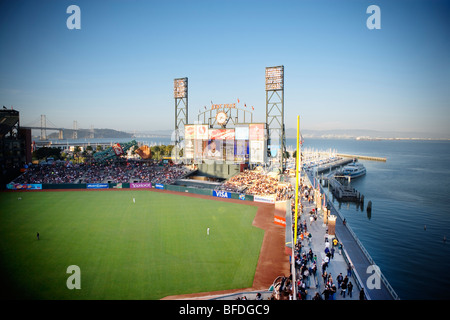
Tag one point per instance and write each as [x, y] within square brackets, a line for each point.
[337, 263]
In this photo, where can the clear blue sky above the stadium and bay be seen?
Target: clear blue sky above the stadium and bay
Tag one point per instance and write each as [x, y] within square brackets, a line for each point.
[117, 71]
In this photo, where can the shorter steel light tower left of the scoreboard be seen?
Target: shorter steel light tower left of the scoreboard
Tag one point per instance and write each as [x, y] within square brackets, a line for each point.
[180, 93]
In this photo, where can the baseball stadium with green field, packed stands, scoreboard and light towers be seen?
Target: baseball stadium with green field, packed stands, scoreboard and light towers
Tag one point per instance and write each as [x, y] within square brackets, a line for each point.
[208, 223]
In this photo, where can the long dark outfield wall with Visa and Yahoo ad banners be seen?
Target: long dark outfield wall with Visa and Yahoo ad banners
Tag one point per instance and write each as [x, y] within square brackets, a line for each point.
[141, 185]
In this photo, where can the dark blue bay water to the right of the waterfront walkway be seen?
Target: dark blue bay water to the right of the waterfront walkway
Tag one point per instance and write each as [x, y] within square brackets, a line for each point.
[410, 217]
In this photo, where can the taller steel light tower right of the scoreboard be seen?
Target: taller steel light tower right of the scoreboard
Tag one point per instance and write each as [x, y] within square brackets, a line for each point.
[275, 115]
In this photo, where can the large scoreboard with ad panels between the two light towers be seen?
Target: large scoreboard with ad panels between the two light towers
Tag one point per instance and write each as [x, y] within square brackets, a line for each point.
[242, 144]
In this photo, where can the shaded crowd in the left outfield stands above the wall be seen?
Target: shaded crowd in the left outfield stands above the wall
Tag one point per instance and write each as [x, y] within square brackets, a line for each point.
[101, 172]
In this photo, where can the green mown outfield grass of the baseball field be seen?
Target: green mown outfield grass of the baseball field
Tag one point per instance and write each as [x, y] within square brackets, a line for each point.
[155, 247]
